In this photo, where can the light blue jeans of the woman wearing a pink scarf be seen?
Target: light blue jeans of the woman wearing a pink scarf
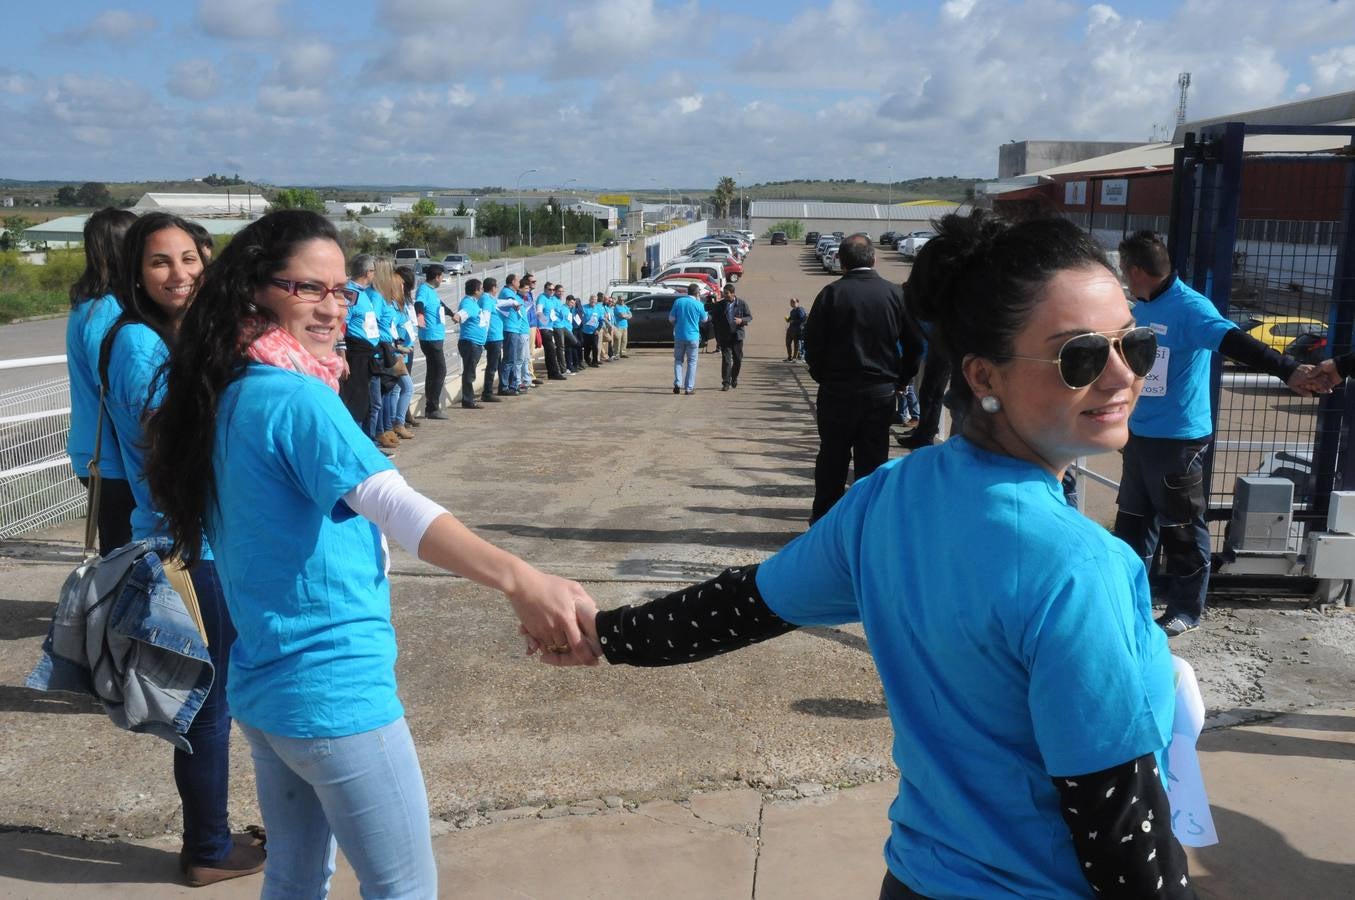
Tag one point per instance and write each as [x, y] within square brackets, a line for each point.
[361, 792]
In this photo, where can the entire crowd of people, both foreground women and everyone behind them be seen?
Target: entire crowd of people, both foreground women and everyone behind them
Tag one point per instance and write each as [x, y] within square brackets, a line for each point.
[232, 401]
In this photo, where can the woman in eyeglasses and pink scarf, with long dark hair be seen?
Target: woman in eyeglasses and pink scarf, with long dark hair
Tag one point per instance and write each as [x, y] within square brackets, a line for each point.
[295, 499]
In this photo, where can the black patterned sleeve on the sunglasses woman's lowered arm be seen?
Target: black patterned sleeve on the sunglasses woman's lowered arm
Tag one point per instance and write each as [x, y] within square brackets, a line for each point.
[1123, 830]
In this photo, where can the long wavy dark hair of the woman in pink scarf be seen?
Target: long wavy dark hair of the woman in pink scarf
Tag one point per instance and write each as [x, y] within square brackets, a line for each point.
[209, 356]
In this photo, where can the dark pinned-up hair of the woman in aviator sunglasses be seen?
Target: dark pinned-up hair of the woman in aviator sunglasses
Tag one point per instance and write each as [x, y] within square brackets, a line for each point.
[978, 281]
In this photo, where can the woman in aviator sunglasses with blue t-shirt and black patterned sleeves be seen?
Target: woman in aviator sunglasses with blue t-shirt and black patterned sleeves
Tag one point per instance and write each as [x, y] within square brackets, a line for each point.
[1032, 695]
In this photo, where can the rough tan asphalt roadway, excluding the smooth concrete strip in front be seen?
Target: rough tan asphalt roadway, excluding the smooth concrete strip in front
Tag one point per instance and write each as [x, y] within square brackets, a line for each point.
[613, 480]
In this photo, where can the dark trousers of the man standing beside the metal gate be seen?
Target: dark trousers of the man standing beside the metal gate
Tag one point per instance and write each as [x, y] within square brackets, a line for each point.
[1162, 501]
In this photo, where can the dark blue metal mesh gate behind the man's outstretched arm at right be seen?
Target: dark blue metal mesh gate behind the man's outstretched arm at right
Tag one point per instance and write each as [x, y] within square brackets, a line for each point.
[1269, 239]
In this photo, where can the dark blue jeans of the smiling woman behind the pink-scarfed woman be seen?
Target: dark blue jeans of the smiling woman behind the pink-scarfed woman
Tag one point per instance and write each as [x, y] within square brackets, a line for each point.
[204, 776]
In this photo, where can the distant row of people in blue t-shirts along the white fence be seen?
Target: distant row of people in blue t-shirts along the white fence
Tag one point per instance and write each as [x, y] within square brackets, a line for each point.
[394, 312]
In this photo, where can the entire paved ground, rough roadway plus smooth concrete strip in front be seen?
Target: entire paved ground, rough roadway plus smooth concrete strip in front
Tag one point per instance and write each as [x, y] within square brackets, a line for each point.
[613, 480]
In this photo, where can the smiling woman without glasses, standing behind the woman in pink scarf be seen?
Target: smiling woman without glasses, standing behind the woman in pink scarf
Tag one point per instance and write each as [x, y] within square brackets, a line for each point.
[163, 264]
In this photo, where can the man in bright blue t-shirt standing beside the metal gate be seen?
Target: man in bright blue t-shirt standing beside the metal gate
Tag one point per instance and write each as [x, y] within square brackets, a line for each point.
[1162, 491]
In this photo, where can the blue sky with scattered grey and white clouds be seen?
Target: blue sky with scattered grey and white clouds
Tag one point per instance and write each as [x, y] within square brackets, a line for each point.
[625, 93]
